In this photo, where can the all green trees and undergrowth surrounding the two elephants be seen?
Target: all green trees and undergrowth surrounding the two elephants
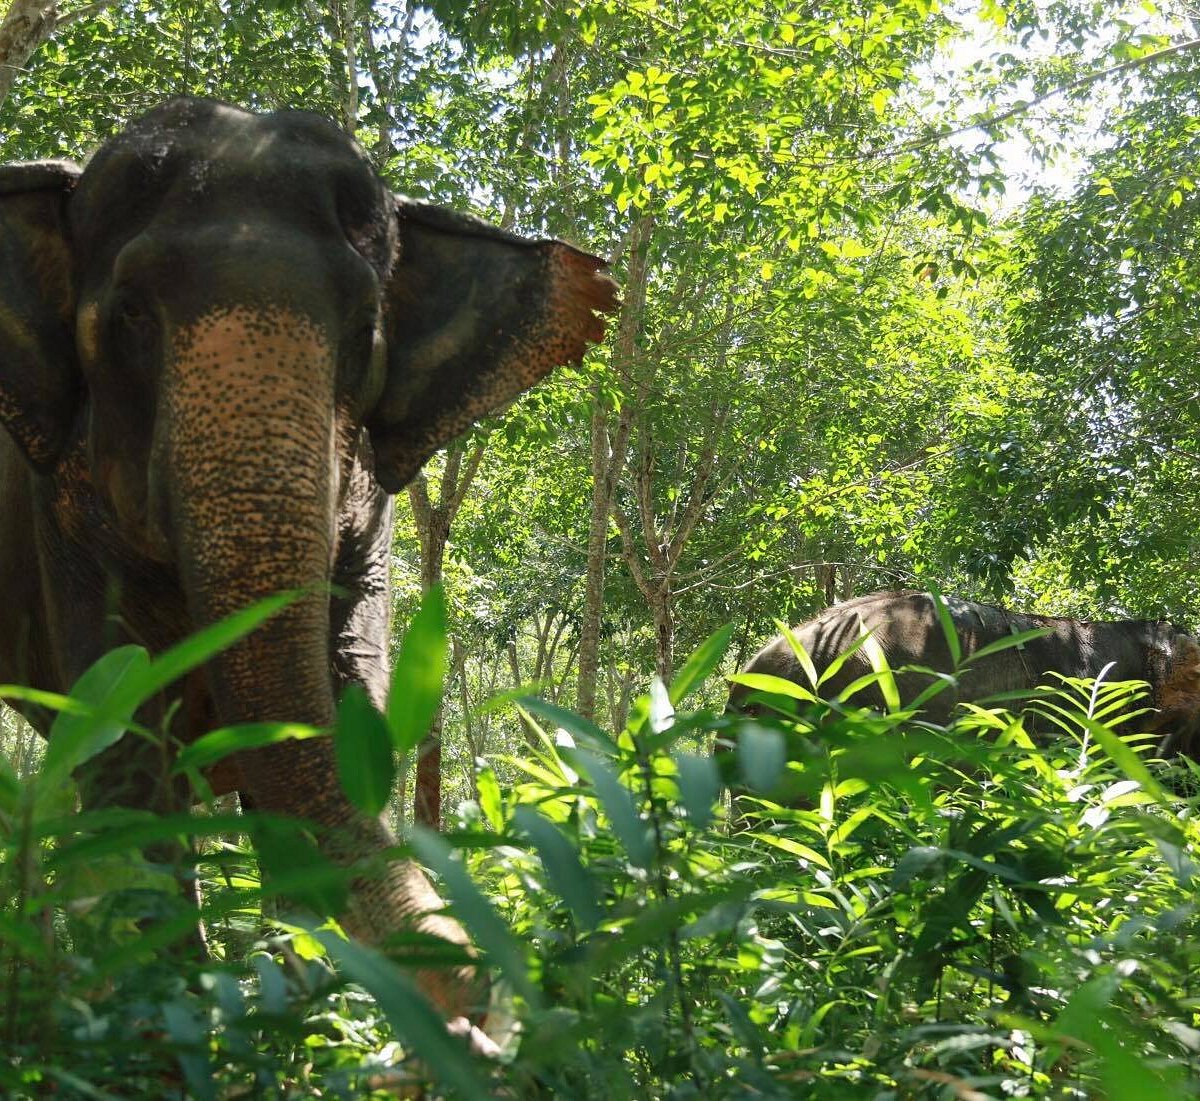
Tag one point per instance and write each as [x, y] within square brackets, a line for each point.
[910, 298]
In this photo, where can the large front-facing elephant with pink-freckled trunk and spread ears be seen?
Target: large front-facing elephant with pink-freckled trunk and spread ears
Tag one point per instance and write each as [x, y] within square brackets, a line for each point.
[224, 344]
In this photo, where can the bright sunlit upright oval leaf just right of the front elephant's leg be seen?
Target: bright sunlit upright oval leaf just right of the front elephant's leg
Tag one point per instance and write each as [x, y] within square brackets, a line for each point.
[421, 670]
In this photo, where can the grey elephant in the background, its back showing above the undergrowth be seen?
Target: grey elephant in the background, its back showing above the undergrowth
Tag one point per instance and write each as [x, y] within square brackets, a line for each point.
[907, 625]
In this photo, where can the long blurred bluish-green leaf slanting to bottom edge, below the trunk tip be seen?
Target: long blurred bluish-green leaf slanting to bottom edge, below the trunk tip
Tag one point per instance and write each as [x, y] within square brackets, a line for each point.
[410, 1014]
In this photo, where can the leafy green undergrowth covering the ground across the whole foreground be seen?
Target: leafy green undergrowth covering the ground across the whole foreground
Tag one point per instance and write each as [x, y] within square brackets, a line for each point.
[884, 909]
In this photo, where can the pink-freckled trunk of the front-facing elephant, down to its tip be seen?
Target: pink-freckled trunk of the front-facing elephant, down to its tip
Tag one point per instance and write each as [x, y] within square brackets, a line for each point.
[250, 431]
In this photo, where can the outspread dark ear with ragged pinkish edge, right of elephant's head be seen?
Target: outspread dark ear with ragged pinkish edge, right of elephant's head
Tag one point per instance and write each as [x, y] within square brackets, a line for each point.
[475, 316]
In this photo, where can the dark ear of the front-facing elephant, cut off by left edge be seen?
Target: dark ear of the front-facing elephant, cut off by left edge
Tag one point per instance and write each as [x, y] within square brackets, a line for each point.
[39, 378]
